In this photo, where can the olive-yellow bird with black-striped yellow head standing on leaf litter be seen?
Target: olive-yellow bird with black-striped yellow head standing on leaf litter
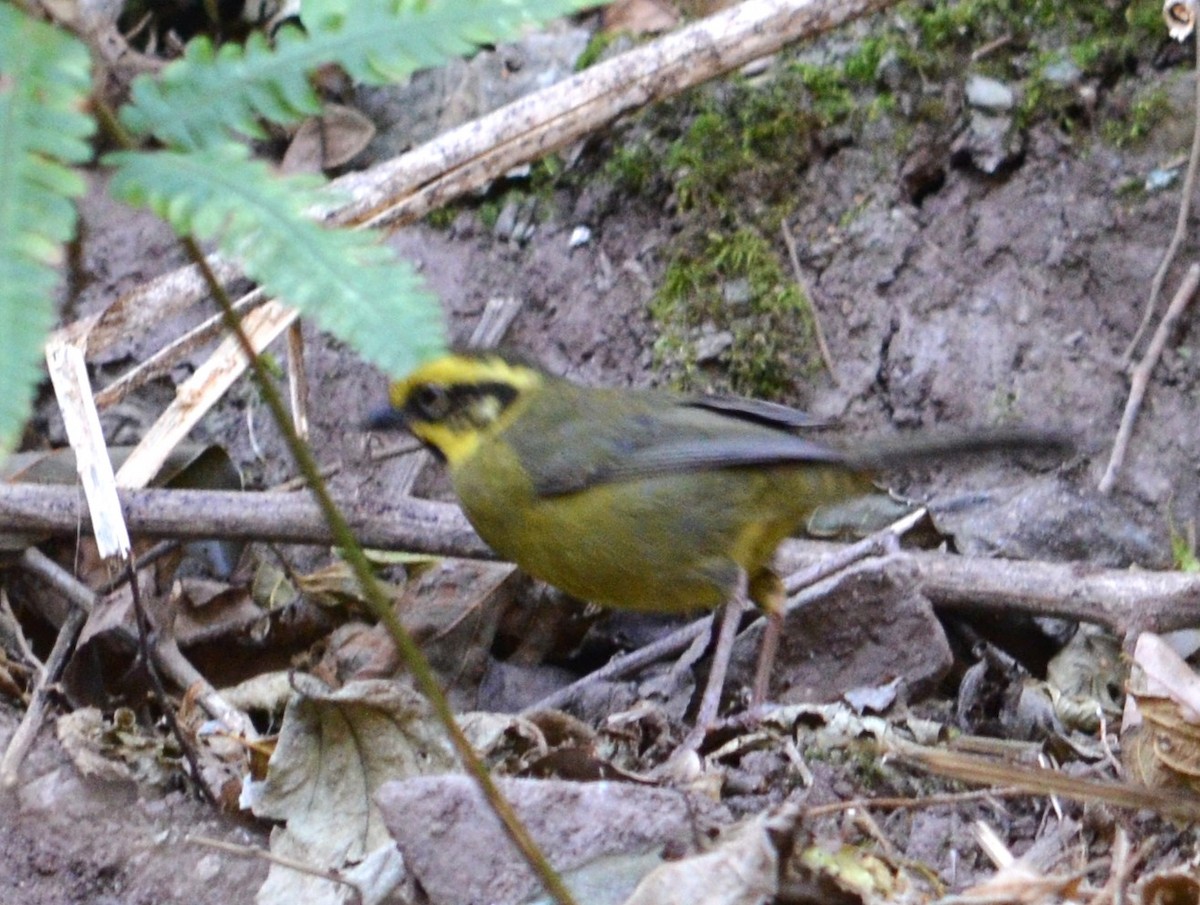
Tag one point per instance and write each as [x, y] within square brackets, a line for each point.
[639, 499]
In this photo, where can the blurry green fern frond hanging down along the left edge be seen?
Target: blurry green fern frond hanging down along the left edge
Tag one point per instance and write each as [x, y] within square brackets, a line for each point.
[45, 80]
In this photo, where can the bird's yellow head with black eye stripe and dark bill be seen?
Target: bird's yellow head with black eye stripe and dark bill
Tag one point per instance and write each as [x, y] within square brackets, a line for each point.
[453, 403]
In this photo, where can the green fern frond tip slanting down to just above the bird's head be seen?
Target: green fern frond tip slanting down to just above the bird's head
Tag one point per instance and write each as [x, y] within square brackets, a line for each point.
[346, 280]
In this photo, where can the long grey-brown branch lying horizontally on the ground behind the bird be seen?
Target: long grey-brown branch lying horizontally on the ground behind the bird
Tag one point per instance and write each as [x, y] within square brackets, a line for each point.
[1125, 602]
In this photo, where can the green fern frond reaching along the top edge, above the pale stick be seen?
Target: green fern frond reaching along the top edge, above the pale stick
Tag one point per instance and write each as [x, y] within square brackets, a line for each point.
[205, 97]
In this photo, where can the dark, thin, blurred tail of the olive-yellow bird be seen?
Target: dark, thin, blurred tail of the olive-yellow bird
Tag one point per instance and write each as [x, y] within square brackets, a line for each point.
[892, 452]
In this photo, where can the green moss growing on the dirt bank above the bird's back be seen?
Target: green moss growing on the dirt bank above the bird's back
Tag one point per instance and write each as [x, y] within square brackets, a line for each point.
[731, 155]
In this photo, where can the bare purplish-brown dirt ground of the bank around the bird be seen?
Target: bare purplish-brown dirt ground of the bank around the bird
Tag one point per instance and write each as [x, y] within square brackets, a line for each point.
[999, 298]
